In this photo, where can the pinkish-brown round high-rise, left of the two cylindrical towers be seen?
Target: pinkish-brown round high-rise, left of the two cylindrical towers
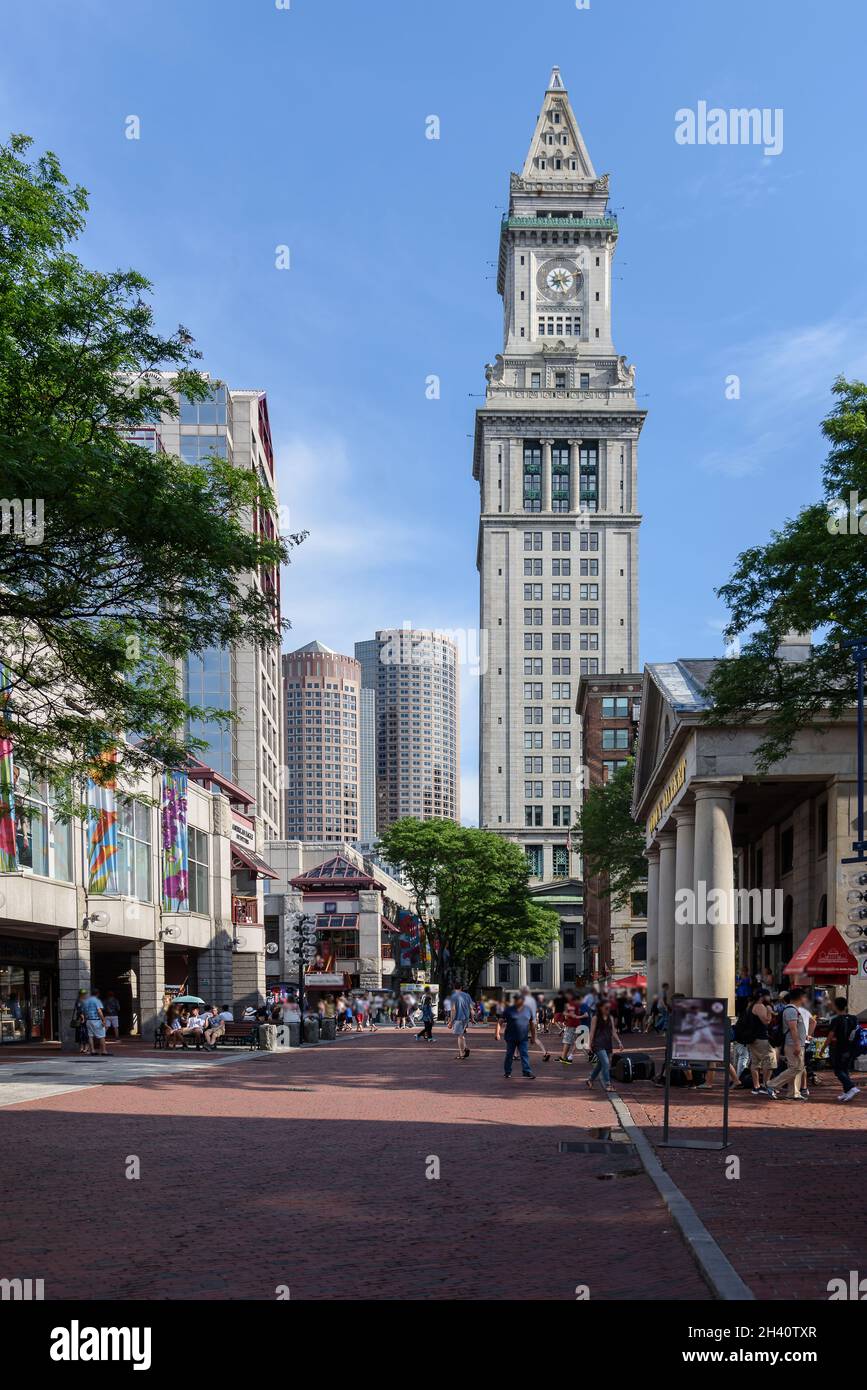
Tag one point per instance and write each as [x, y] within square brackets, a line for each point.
[323, 694]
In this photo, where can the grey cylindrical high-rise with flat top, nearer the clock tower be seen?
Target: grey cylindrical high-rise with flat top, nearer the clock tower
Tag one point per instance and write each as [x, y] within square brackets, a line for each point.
[415, 676]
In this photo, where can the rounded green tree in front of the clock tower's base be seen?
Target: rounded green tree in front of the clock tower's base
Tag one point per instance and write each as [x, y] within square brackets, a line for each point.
[472, 889]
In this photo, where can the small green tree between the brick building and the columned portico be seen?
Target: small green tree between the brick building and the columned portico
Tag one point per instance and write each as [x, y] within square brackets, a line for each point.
[611, 840]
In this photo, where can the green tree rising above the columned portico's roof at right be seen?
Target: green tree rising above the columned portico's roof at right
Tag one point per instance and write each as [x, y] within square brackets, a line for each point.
[809, 578]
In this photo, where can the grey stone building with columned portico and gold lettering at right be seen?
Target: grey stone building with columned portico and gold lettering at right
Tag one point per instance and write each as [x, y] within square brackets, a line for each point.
[762, 854]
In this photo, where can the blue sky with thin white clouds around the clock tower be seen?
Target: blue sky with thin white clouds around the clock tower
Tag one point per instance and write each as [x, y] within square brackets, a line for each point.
[306, 129]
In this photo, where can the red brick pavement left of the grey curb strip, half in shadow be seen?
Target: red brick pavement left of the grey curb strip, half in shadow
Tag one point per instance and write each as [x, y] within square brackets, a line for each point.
[309, 1171]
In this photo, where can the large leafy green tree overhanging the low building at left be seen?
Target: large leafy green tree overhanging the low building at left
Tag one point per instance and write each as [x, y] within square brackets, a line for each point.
[141, 559]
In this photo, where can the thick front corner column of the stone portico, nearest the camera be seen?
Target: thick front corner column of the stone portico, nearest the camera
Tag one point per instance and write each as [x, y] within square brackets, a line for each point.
[713, 942]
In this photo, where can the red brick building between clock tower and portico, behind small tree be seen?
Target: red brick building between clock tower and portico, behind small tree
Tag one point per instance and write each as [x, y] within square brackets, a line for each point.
[615, 938]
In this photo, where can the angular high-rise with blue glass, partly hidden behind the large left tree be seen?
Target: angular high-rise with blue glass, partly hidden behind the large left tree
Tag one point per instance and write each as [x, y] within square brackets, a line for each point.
[247, 679]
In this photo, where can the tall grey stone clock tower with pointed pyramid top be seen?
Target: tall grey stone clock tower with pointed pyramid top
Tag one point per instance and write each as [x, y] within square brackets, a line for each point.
[556, 461]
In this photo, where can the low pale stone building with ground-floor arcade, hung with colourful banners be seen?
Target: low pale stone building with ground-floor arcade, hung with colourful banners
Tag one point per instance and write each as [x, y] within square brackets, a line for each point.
[58, 936]
